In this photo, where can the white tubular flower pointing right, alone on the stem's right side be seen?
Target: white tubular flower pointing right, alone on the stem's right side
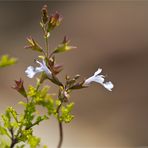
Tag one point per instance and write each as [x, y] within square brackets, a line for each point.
[99, 79]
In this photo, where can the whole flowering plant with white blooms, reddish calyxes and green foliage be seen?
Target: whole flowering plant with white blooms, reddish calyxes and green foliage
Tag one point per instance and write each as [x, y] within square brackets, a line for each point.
[17, 128]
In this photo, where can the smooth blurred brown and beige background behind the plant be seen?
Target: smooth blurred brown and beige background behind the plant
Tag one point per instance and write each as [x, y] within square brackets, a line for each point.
[112, 35]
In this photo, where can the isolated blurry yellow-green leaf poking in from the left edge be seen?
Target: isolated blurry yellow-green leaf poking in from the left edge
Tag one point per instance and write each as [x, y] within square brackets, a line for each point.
[5, 60]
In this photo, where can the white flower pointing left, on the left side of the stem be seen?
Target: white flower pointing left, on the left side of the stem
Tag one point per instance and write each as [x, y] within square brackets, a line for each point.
[31, 71]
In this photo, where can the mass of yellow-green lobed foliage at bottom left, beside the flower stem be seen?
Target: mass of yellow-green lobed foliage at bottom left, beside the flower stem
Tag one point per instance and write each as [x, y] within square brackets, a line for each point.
[18, 127]
